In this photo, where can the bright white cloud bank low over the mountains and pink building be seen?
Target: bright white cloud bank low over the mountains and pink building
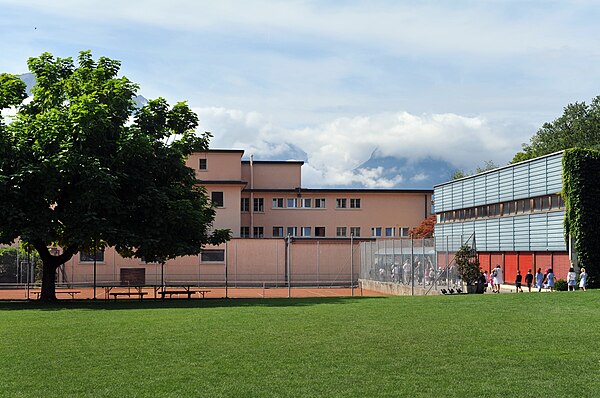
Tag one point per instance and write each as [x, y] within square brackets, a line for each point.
[335, 149]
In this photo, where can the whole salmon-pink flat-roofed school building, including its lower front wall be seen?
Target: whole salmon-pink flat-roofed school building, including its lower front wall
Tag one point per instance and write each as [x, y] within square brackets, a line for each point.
[261, 202]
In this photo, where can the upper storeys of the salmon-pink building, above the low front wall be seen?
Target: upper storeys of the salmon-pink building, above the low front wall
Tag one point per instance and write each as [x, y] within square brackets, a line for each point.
[265, 199]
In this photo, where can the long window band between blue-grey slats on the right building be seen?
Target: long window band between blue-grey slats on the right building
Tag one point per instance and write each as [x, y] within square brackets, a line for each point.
[504, 209]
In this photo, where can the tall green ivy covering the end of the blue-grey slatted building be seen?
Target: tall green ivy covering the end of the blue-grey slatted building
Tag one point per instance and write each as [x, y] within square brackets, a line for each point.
[581, 193]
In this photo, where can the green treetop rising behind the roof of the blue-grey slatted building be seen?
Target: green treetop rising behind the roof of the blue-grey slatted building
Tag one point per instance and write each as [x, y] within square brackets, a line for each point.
[577, 127]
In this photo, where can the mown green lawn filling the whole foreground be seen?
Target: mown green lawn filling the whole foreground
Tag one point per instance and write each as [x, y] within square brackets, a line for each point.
[509, 345]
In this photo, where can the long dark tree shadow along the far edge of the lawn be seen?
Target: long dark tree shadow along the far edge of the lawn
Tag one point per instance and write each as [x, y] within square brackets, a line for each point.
[112, 305]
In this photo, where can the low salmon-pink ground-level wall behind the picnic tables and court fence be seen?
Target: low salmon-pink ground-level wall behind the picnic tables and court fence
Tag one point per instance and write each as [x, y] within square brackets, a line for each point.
[248, 261]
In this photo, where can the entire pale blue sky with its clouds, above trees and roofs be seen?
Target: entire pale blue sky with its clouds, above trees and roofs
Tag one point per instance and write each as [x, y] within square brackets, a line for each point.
[460, 81]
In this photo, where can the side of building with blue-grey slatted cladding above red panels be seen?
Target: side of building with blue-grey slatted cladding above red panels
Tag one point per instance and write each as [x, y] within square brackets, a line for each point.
[515, 214]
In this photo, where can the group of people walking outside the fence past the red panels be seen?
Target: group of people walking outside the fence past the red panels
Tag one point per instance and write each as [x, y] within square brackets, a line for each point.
[542, 280]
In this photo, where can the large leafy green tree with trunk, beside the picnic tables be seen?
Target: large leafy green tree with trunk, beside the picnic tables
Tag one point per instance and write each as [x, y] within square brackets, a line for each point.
[80, 168]
